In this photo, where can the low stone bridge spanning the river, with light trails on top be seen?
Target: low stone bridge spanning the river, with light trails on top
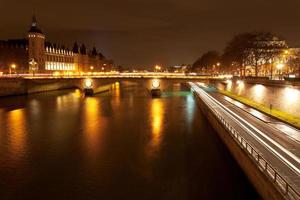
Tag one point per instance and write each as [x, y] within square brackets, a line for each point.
[20, 86]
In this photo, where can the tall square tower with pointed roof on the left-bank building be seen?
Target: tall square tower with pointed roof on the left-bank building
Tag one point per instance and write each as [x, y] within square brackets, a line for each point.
[36, 48]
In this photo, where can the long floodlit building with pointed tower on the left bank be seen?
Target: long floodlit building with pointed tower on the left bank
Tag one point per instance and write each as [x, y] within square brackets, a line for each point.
[35, 53]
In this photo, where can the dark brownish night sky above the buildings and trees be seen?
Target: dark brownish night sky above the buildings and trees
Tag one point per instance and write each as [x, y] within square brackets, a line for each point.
[140, 33]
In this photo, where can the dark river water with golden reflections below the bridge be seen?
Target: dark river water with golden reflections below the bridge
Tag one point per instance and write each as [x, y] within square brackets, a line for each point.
[118, 145]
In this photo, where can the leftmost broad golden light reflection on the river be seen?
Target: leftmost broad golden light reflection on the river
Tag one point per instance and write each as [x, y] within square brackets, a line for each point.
[16, 123]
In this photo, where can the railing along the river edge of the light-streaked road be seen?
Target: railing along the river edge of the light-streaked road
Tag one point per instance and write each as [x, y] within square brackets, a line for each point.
[280, 182]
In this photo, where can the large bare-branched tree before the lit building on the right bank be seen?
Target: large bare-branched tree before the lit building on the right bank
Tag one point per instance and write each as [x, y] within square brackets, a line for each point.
[252, 49]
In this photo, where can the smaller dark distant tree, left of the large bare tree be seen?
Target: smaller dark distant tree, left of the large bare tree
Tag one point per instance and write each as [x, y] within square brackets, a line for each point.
[206, 61]
